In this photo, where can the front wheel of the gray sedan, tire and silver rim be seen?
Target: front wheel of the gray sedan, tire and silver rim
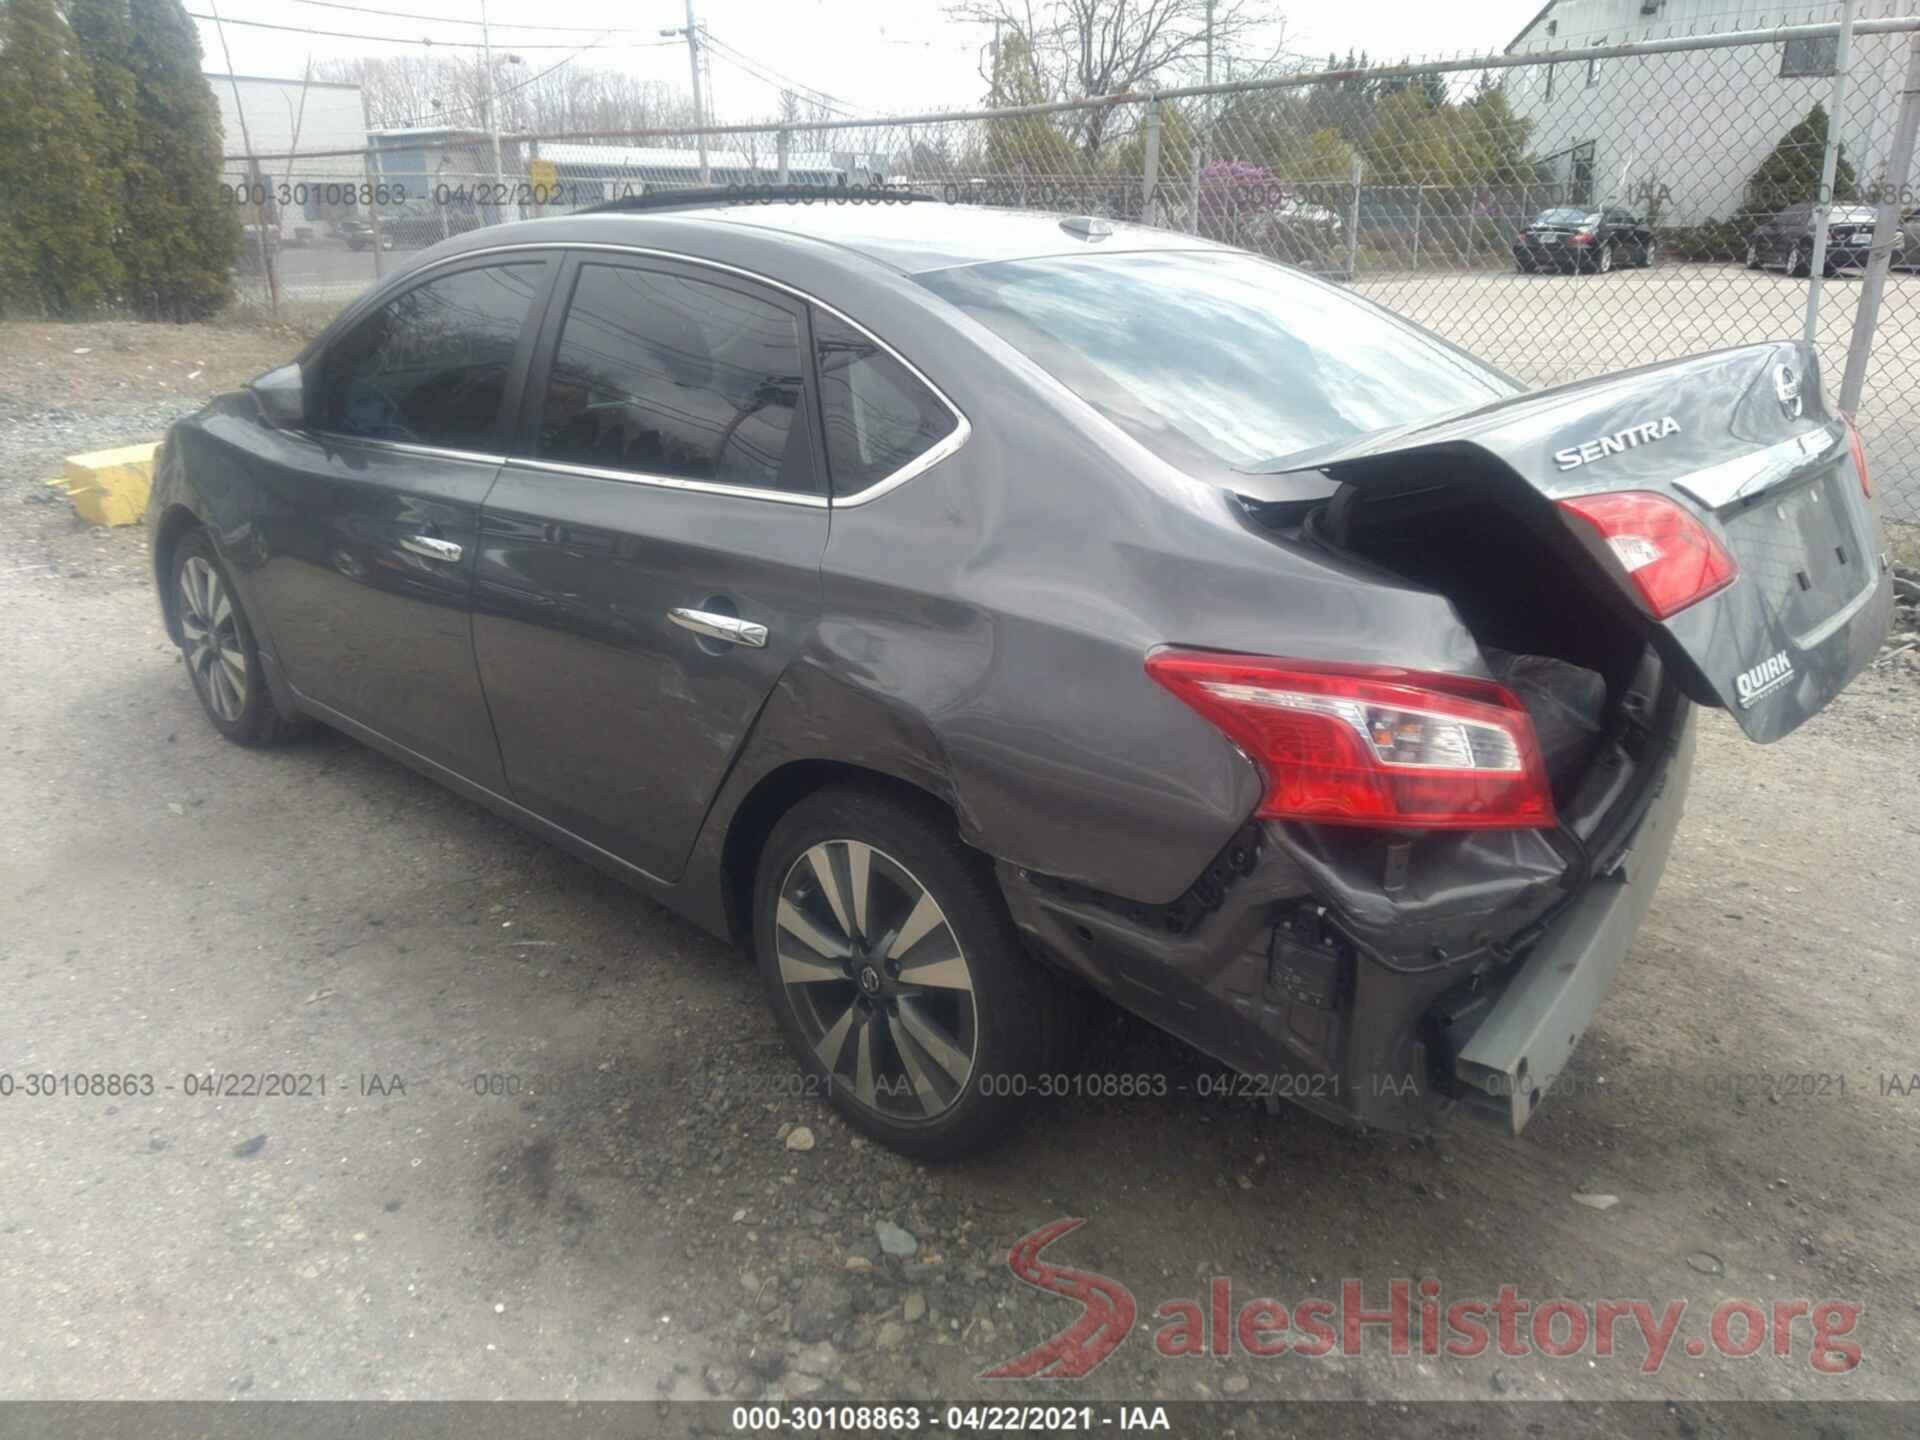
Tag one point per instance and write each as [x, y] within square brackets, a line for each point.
[220, 650]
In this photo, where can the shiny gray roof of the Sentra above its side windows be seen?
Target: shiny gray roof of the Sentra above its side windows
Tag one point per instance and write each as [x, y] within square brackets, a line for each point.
[913, 237]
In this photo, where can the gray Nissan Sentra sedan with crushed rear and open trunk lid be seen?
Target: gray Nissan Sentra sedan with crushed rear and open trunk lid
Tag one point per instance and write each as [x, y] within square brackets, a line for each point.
[974, 612]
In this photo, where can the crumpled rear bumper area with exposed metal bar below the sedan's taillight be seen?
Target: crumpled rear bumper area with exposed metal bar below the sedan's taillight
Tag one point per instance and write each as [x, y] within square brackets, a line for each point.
[1464, 982]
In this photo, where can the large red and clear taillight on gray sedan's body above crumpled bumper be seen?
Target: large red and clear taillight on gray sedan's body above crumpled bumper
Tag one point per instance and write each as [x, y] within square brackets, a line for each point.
[1370, 746]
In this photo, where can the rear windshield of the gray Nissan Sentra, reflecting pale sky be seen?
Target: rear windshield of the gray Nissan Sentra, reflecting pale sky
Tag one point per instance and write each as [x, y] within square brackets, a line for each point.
[1218, 360]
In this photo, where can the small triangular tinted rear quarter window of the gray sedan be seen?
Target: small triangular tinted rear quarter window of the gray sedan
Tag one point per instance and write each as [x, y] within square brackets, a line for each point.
[878, 416]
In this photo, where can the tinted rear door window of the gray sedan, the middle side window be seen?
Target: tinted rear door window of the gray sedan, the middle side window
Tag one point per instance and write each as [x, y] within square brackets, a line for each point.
[675, 377]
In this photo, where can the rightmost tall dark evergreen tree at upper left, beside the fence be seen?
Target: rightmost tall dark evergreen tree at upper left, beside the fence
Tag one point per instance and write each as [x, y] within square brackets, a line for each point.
[181, 237]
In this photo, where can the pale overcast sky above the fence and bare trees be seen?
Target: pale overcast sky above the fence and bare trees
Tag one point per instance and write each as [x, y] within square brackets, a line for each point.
[873, 57]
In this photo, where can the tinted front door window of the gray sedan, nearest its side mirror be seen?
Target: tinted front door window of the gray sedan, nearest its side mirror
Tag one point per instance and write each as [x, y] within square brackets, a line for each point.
[431, 368]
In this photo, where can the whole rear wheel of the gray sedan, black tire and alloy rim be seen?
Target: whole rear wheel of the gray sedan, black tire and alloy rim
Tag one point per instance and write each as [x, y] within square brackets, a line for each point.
[896, 972]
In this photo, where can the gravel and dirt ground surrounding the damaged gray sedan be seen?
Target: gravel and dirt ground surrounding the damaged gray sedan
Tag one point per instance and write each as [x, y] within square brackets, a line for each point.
[629, 1220]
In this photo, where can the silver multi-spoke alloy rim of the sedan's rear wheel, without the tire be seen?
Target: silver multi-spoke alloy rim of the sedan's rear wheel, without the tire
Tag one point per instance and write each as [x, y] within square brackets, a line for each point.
[878, 980]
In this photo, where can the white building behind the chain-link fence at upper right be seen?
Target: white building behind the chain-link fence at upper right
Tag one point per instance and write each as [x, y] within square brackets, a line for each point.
[1681, 133]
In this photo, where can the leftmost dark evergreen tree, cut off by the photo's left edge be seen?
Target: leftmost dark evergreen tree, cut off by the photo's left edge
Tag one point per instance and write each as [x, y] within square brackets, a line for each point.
[57, 208]
